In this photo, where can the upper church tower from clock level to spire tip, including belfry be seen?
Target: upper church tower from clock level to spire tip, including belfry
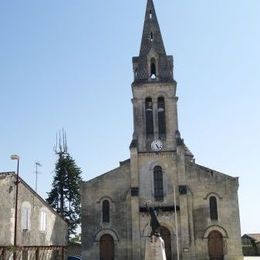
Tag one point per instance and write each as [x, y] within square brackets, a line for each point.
[154, 91]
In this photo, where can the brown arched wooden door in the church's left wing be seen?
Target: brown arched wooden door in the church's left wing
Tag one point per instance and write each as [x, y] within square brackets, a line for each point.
[107, 247]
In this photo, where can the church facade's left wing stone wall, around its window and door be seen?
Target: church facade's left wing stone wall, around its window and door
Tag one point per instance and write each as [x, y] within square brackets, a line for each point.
[113, 186]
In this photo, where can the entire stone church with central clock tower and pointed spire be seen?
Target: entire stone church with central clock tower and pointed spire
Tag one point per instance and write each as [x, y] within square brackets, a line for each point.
[197, 207]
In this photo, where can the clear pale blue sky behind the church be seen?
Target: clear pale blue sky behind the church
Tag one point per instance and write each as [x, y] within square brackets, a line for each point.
[67, 64]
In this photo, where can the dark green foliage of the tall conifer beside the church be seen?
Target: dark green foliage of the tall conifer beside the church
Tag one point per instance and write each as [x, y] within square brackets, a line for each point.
[65, 194]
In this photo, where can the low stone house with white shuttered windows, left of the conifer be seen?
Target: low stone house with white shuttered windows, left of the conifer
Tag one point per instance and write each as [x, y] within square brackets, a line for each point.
[39, 227]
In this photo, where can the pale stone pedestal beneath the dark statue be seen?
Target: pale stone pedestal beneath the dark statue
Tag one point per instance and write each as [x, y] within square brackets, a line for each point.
[154, 249]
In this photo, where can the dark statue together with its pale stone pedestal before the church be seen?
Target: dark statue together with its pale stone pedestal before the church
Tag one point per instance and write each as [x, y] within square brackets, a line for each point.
[154, 247]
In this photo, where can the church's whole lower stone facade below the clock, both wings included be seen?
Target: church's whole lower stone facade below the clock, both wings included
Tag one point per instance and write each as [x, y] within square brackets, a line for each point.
[130, 227]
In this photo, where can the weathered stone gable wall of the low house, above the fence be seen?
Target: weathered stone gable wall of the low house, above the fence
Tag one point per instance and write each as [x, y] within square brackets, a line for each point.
[55, 232]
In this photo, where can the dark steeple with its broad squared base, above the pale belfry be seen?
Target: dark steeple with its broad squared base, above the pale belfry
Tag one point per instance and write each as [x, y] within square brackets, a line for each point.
[152, 64]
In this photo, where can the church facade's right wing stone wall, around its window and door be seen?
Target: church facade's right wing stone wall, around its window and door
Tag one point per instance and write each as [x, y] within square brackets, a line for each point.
[204, 183]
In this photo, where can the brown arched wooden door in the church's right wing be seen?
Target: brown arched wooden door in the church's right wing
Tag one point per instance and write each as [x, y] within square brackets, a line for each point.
[215, 245]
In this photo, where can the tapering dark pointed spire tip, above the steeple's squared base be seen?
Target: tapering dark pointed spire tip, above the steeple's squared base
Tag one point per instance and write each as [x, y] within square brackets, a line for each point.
[151, 37]
